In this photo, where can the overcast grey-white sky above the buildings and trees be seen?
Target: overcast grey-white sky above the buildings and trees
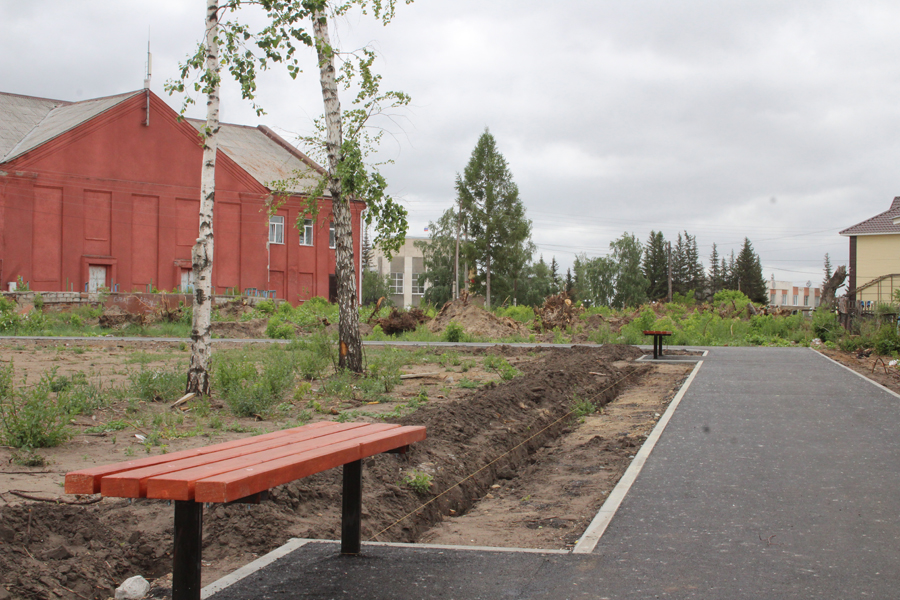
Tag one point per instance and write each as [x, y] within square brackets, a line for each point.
[777, 121]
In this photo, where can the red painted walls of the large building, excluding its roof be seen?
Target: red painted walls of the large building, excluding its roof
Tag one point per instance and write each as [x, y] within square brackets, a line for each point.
[117, 193]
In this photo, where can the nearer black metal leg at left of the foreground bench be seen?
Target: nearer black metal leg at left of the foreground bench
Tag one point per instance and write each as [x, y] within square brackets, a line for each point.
[188, 548]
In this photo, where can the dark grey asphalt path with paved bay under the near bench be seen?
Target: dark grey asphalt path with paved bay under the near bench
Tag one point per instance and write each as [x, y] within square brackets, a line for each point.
[777, 477]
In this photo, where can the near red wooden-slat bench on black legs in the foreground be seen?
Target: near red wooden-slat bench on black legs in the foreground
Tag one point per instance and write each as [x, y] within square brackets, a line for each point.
[242, 471]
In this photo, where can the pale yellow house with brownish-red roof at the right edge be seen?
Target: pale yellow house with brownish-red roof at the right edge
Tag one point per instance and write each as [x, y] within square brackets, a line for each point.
[875, 258]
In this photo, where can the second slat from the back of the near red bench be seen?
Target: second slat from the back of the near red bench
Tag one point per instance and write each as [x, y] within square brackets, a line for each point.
[133, 482]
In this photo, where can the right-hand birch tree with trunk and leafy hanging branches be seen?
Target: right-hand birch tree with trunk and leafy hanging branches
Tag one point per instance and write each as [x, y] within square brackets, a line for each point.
[343, 135]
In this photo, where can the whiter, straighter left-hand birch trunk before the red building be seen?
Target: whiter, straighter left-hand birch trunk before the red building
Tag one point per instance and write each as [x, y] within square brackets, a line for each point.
[202, 252]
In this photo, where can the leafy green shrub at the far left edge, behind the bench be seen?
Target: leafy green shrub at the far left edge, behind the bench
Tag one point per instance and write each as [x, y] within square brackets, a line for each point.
[29, 417]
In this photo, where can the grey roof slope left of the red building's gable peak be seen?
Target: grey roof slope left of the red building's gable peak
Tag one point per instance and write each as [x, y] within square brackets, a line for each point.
[30, 122]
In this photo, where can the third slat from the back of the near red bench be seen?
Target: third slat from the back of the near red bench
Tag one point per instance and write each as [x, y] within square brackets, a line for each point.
[179, 485]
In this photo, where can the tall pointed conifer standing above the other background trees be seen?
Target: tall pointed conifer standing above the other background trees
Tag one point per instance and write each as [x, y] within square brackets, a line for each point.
[500, 244]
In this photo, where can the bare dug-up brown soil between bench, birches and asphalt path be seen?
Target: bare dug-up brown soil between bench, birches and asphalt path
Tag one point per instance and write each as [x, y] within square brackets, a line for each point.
[509, 465]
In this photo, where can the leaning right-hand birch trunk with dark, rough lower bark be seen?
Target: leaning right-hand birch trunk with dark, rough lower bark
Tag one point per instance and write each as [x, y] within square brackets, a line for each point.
[350, 343]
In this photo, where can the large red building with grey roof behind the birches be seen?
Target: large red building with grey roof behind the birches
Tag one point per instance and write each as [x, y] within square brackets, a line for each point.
[106, 192]
